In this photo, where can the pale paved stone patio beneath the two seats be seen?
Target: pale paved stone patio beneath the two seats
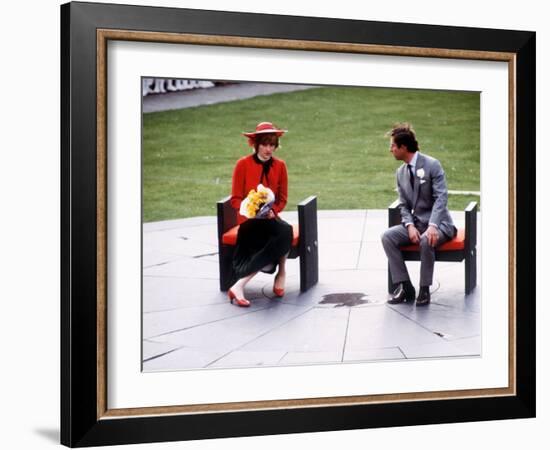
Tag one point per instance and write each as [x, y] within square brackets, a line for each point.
[188, 323]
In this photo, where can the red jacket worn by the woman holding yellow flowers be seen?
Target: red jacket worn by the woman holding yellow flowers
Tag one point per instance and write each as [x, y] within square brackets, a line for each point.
[247, 175]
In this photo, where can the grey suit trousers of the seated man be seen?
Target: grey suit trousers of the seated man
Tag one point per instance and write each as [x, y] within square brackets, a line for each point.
[397, 236]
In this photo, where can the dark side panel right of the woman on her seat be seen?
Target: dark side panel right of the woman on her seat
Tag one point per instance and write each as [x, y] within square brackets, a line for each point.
[309, 248]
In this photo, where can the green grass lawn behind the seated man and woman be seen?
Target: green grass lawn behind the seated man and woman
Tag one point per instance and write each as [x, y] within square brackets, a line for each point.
[336, 147]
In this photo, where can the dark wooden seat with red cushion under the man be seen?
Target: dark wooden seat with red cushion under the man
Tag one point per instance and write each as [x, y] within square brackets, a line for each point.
[461, 248]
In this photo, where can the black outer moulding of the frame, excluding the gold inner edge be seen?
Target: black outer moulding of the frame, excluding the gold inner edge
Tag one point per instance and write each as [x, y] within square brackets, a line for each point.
[79, 423]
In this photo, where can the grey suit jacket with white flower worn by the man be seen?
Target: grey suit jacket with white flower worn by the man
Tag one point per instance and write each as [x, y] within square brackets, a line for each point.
[427, 203]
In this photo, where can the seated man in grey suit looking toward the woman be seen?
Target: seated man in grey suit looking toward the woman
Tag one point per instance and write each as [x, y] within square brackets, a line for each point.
[425, 219]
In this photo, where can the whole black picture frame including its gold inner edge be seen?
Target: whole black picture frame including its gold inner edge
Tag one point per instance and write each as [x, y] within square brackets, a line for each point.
[86, 418]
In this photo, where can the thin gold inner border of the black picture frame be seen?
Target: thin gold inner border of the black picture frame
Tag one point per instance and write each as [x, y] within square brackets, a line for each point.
[104, 35]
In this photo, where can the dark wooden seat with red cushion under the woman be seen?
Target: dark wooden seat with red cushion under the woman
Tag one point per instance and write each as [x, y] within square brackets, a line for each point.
[304, 242]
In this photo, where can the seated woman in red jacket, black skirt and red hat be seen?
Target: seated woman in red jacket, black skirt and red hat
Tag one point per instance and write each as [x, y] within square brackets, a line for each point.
[262, 243]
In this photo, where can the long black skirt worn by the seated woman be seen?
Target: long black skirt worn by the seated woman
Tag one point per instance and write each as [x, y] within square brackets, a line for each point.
[260, 245]
